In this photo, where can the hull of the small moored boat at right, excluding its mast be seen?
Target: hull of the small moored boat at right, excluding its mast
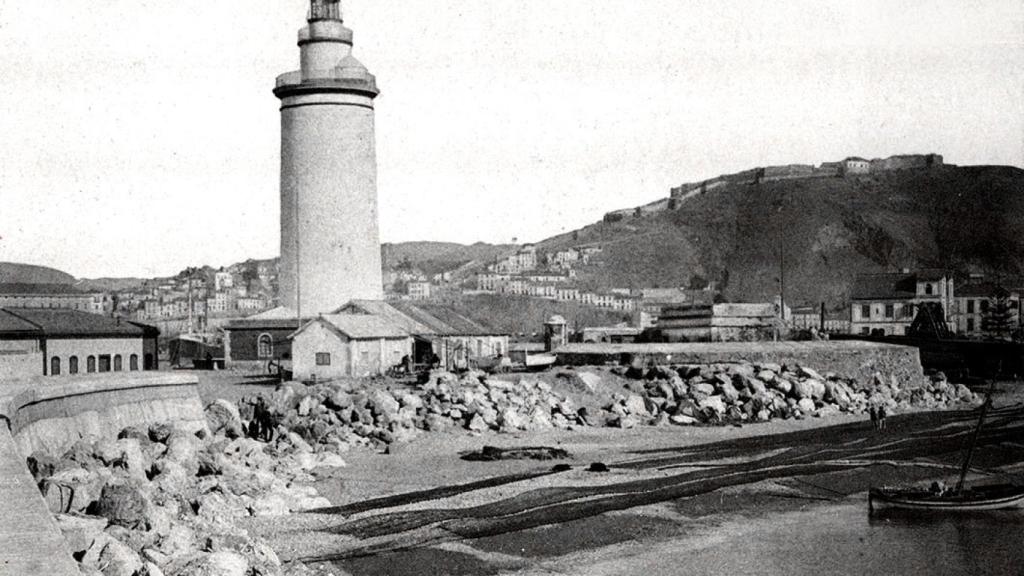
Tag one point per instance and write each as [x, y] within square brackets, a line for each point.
[992, 498]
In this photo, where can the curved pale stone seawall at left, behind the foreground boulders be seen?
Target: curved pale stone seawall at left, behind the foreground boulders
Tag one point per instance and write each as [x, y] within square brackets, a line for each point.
[51, 415]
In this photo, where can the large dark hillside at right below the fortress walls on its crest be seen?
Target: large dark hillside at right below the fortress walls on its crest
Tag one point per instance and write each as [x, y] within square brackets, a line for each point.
[828, 230]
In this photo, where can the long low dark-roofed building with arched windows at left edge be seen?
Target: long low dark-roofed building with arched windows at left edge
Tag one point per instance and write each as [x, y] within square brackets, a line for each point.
[62, 342]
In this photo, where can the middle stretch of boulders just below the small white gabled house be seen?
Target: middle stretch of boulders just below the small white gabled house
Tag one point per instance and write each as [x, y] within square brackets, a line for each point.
[378, 414]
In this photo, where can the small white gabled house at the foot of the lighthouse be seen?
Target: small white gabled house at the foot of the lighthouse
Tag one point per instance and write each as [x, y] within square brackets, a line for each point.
[348, 345]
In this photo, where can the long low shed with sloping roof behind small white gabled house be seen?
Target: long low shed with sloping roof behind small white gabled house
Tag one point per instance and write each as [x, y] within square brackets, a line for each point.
[457, 341]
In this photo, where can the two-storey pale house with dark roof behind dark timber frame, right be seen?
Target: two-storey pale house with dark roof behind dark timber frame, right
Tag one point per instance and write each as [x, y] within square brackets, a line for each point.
[886, 304]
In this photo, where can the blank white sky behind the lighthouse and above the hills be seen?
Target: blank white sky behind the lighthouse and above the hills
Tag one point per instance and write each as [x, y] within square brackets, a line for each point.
[141, 137]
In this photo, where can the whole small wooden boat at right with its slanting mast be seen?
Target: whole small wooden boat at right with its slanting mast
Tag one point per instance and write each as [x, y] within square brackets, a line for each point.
[959, 500]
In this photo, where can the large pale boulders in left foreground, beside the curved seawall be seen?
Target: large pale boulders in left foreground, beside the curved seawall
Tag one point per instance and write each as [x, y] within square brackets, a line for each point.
[165, 502]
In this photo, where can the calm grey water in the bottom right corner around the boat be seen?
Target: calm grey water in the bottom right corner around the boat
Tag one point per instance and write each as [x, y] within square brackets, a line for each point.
[842, 541]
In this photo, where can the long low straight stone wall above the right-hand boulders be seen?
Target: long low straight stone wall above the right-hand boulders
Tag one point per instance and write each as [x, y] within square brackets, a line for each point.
[852, 359]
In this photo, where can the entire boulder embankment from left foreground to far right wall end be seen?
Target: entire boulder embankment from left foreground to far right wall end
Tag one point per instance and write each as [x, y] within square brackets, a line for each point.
[165, 501]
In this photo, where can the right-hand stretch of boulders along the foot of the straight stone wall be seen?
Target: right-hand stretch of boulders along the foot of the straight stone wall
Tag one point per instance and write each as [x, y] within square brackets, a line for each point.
[738, 393]
